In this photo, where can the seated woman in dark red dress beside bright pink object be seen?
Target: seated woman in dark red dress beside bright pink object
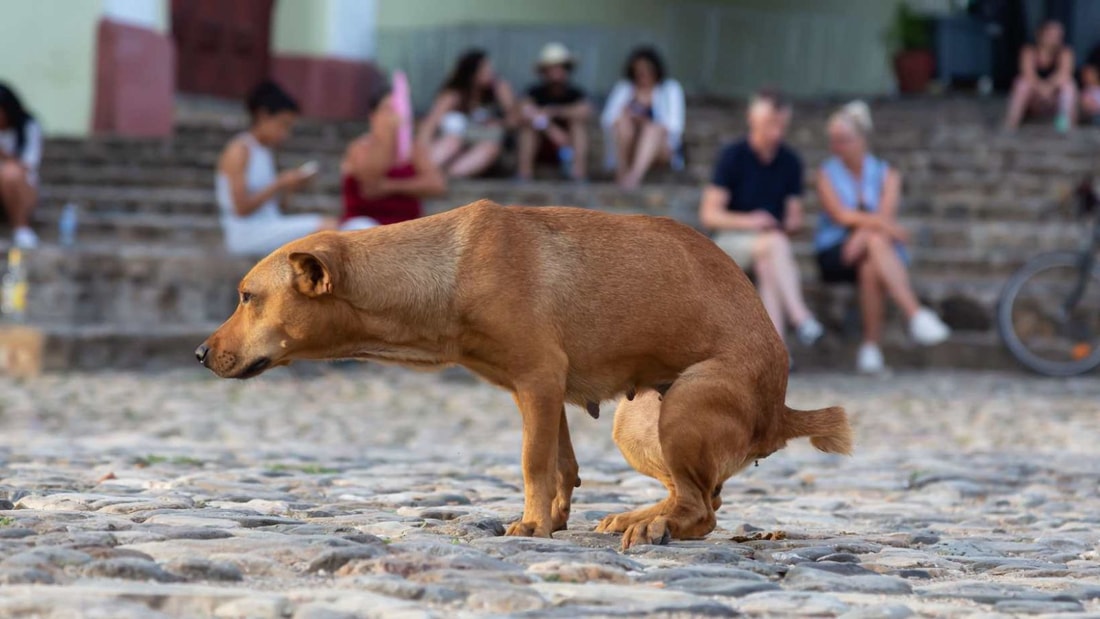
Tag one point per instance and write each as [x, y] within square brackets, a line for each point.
[384, 175]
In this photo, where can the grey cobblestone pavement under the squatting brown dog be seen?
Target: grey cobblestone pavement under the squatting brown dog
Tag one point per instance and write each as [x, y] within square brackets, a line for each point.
[370, 492]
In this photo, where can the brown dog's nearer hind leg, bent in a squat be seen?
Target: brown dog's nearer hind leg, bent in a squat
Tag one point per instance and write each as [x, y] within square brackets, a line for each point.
[701, 434]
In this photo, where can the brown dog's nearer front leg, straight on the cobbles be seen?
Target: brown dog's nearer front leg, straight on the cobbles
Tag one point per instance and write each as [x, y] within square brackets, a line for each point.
[542, 411]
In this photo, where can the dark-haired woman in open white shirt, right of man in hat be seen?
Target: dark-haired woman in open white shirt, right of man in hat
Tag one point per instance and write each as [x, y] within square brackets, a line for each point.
[643, 120]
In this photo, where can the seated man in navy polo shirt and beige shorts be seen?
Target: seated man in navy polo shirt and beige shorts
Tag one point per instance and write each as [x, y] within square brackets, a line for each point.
[753, 203]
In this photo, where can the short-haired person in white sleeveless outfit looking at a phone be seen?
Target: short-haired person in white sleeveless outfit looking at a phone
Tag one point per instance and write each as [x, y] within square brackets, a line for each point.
[249, 186]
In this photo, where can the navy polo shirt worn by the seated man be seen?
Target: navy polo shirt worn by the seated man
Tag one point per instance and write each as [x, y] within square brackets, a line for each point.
[757, 185]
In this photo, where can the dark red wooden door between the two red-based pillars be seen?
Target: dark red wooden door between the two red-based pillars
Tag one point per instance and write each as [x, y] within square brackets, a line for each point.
[223, 48]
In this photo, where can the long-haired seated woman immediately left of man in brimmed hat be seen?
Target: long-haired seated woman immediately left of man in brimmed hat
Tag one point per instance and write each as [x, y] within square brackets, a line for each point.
[467, 125]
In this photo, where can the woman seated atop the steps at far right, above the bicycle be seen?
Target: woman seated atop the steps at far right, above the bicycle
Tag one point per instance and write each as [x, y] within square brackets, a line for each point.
[1046, 83]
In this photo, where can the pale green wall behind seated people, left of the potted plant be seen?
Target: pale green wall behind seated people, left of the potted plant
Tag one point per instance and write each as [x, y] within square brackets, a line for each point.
[723, 48]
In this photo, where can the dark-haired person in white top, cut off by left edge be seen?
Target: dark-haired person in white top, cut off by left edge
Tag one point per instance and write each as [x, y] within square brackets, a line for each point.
[20, 154]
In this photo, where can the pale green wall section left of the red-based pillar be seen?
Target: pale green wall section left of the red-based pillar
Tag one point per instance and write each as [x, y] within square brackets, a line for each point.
[48, 53]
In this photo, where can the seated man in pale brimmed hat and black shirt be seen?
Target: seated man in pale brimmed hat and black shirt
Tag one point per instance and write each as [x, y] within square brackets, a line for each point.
[554, 117]
